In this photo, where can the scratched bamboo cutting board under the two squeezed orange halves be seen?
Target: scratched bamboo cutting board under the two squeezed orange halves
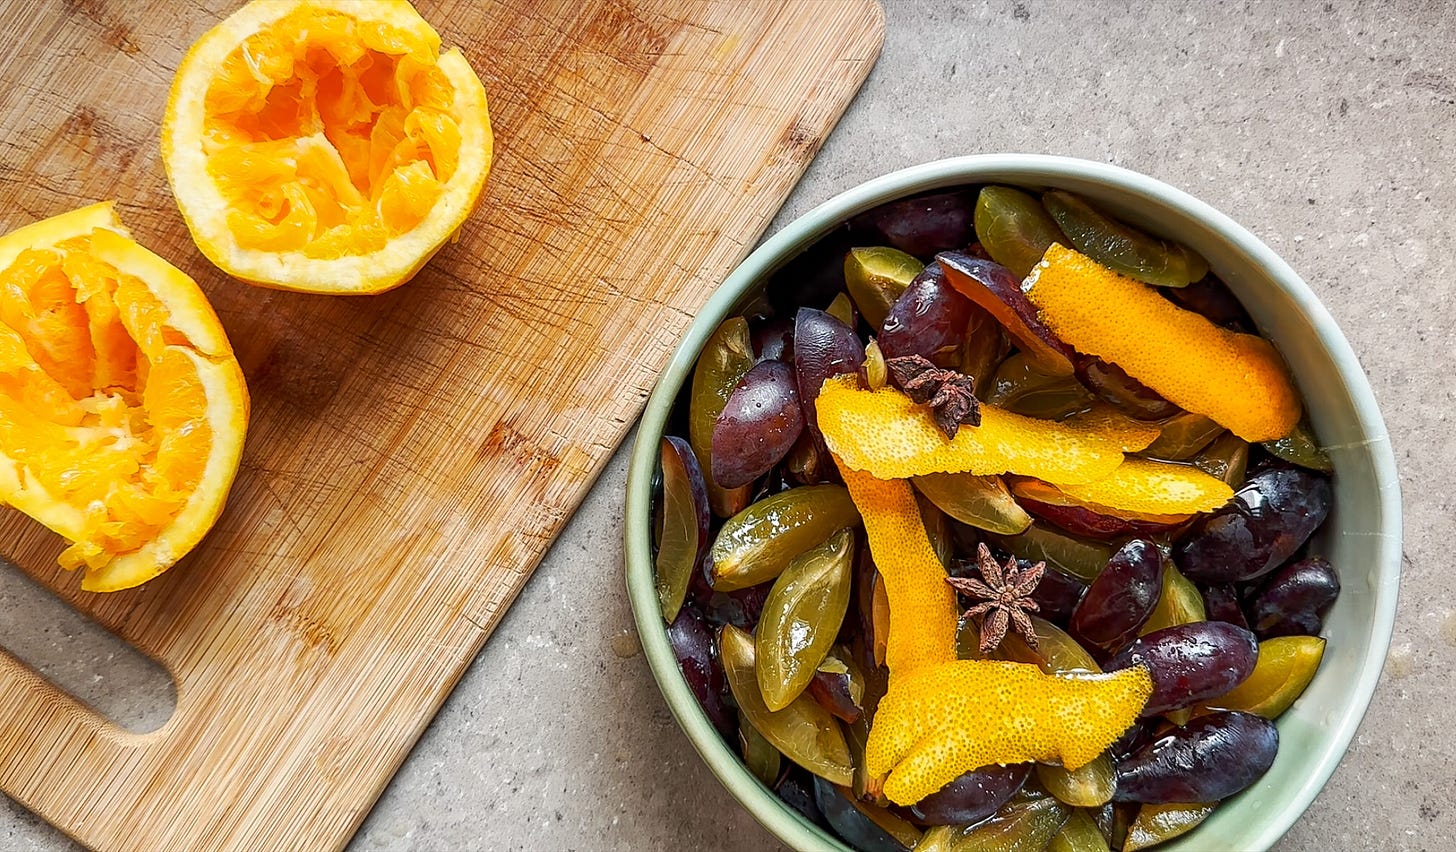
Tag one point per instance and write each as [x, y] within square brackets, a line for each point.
[411, 455]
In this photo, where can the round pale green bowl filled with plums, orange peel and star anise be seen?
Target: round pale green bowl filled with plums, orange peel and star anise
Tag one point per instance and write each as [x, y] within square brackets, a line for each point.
[1016, 502]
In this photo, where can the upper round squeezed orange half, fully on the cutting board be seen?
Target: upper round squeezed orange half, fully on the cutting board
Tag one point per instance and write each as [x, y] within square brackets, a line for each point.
[325, 145]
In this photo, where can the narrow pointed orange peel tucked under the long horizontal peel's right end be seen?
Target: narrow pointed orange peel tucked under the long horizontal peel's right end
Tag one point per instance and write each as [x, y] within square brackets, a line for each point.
[1141, 490]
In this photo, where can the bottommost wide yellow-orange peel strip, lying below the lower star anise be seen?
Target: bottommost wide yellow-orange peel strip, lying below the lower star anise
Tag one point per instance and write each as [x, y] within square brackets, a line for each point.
[941, 722]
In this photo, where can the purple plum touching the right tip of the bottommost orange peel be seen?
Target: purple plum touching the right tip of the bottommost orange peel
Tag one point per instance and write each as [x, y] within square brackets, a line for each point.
[1190, 663]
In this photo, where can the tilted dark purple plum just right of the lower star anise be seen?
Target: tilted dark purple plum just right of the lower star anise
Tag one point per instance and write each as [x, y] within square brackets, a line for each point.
[1120, 599]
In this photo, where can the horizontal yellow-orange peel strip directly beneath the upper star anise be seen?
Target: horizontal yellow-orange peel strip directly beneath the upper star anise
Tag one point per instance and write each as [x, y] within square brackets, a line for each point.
[886, 435]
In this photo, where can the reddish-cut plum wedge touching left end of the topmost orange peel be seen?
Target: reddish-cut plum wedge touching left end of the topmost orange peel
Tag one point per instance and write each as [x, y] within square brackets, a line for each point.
[998, 292]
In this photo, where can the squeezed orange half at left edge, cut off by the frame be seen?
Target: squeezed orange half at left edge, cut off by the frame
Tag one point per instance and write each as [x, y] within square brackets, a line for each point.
[123, 409]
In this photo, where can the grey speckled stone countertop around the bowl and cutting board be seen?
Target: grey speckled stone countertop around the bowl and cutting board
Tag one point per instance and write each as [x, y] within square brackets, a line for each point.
[1326, 129]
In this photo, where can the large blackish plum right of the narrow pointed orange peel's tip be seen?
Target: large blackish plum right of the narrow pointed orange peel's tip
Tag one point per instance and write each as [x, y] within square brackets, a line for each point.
[1267, 521]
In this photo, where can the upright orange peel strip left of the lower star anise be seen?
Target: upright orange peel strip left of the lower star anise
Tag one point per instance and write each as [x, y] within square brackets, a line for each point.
[922, 604]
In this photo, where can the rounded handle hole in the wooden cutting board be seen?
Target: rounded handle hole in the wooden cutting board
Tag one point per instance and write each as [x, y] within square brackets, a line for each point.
[82, 658]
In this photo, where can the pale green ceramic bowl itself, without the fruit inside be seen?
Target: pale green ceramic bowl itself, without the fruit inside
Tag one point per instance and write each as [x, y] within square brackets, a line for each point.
[1362, 538]
